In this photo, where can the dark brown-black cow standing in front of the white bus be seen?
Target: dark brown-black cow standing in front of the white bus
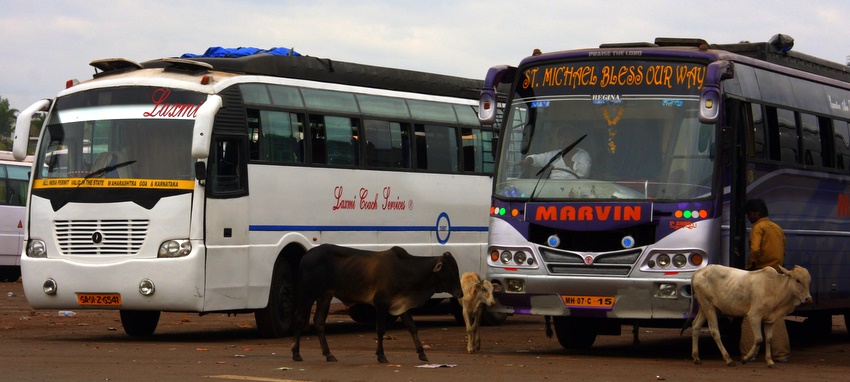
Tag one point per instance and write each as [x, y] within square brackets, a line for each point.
[393, 281]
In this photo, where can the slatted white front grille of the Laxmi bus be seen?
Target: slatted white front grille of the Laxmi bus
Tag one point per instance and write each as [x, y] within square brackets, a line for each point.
[101, 237]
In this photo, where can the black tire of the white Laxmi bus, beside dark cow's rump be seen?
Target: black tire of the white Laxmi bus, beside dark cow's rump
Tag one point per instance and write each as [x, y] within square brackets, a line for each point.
[275, 320]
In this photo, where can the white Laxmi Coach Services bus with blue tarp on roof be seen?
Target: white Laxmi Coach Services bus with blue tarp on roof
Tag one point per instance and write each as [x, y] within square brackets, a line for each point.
[196, 185]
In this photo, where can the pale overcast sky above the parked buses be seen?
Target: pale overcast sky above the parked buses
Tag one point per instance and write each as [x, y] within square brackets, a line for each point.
[49, 42]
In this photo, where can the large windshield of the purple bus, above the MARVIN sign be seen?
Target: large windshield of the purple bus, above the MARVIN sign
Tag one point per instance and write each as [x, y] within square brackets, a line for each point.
[630, 146]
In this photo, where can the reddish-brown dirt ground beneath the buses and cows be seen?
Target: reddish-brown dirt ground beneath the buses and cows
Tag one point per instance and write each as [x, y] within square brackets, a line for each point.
[40, 345]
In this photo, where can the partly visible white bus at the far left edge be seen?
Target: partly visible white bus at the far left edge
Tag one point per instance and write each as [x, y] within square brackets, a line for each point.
[14, 177]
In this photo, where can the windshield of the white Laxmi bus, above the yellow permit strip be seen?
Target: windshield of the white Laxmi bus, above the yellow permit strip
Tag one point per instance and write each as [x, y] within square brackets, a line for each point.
[131, 141]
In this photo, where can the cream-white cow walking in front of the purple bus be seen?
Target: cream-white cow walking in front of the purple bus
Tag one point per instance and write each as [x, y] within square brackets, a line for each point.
[764, 296]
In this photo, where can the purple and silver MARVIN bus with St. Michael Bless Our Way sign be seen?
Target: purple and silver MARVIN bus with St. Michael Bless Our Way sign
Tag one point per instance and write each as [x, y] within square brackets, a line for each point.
[664, 143]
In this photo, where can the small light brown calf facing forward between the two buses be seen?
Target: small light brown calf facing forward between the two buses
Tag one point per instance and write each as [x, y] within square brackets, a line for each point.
[476, 293]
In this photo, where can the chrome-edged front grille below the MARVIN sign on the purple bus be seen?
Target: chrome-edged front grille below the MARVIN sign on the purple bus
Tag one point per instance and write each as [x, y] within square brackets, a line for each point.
[606, 264]
